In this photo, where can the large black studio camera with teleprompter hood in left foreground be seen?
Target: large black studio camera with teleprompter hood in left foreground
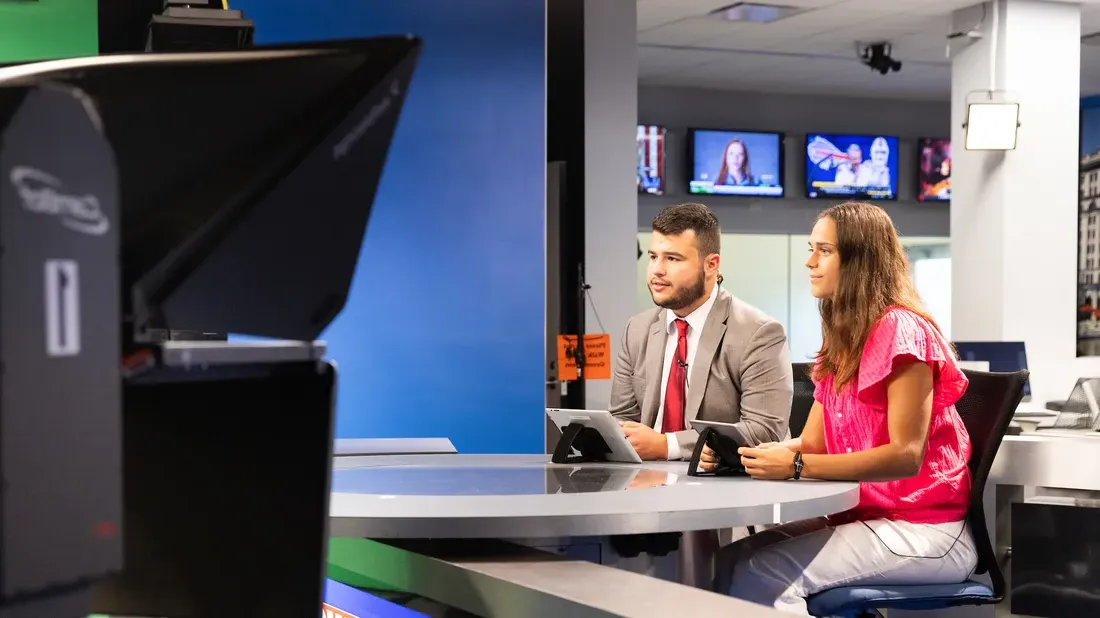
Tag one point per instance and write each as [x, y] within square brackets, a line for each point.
[191, 192]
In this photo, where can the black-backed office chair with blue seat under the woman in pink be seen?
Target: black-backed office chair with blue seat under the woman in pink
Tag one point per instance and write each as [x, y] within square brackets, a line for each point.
[987, 409]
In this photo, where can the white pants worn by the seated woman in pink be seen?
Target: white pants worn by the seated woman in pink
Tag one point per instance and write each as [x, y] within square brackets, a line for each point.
[782, 567]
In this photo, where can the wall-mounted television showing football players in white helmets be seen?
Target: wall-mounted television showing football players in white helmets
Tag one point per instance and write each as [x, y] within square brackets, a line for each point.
[852, 167]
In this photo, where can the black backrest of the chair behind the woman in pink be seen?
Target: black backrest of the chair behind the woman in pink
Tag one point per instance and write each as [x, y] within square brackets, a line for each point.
[987, 409]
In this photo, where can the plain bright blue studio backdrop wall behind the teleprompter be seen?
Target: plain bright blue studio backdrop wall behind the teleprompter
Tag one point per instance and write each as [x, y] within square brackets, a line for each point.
[444, 332]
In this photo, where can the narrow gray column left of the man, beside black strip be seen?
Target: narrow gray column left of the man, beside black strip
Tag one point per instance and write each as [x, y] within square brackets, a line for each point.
[611, 197]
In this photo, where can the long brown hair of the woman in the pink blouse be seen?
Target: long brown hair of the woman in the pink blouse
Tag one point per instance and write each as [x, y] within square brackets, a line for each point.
[874, 277]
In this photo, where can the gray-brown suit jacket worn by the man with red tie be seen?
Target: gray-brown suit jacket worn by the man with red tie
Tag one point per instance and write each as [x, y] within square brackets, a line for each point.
[741, 374]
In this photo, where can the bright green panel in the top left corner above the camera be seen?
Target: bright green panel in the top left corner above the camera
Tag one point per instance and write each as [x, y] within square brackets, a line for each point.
[38, 30]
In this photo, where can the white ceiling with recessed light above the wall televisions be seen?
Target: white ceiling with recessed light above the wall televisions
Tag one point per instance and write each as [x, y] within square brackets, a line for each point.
[812, 47]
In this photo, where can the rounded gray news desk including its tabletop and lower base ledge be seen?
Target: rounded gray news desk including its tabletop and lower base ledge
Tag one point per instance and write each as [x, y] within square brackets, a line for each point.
[471, 527]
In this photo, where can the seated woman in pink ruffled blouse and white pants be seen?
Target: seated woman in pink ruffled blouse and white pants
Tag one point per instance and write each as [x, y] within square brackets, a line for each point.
[887, 382]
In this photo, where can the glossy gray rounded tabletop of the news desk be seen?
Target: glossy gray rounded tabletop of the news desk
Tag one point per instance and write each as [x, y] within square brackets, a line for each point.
[526, 496]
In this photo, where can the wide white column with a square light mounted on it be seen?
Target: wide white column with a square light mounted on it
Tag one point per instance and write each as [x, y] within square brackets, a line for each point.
[1014, 214]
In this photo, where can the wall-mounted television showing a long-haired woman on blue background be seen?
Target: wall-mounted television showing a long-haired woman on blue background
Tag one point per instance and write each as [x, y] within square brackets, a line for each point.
[736, 163]
